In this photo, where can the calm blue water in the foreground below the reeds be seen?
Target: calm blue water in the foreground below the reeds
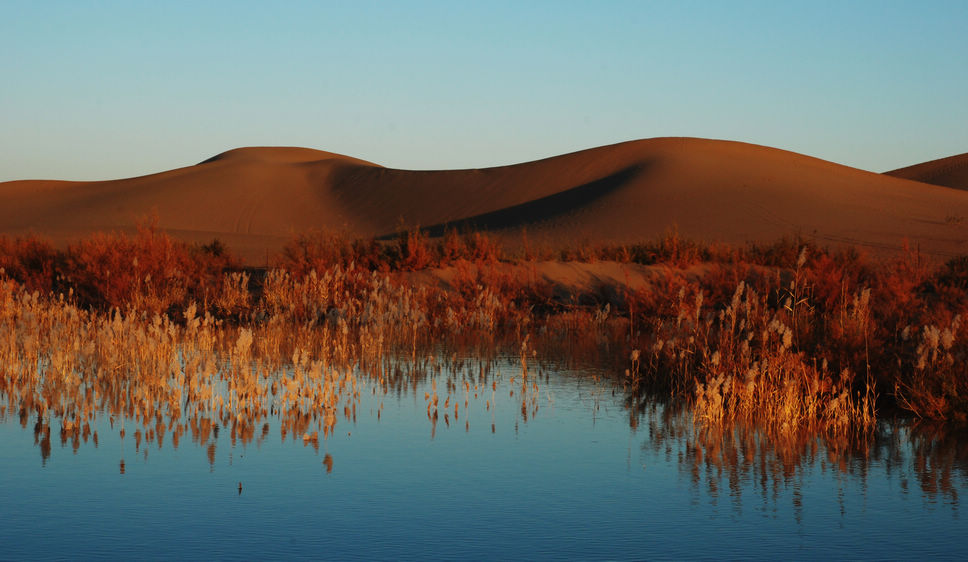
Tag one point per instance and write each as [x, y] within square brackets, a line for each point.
[559, 469]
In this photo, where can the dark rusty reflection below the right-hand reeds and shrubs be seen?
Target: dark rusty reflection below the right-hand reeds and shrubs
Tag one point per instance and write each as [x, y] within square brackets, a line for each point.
[731, 462]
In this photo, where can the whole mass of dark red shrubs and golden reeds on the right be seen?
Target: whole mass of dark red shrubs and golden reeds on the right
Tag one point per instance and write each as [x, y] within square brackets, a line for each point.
[790, 349]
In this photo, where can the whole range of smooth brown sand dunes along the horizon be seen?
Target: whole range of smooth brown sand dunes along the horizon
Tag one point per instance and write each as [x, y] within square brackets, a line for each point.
[255, 199]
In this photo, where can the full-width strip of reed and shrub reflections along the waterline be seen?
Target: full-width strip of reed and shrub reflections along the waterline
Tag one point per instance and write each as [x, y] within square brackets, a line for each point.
[722, 461]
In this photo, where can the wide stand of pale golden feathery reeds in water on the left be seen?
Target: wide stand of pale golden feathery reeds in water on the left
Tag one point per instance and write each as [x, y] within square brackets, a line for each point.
[303, 357]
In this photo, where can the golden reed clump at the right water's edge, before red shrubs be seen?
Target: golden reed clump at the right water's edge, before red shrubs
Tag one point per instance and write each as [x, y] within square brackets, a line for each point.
[741, 364]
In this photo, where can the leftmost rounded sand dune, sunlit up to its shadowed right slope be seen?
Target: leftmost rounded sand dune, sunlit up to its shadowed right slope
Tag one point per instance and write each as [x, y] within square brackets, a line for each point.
[253, 199]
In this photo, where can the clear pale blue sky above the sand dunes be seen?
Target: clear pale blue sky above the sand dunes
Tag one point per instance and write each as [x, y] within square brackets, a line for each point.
[97, 90]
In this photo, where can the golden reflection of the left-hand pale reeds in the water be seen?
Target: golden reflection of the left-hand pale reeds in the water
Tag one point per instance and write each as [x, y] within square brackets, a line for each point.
[305, 403]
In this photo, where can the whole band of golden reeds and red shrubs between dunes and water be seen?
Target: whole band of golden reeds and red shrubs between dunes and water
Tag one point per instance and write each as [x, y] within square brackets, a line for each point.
[790, 337]
